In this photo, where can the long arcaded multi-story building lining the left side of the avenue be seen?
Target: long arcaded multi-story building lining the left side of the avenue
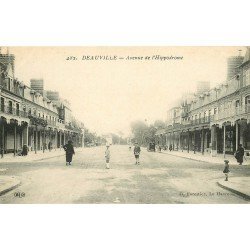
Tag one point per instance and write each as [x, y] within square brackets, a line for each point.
[28, 117]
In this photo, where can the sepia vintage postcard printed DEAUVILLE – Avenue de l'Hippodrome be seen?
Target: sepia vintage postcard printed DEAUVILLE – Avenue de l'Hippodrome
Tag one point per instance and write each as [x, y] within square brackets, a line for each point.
[125, 125]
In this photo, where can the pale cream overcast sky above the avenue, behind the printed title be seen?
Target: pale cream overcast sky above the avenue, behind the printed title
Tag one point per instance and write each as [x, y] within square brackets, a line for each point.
[108, 95]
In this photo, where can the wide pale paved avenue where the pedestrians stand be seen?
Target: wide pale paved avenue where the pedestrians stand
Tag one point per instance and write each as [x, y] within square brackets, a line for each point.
[160, 178]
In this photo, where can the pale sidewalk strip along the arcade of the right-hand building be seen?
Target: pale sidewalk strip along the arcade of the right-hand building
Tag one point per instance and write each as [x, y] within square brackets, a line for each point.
[219, 159]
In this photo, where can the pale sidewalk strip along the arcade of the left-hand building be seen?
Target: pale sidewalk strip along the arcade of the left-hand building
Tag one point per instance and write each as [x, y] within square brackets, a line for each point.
[35, 157]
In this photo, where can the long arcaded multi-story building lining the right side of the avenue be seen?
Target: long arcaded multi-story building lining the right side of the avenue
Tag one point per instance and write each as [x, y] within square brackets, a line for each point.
[215, 121]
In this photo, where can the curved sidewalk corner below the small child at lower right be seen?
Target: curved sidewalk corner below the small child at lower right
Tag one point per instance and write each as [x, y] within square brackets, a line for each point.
[237, 185]
